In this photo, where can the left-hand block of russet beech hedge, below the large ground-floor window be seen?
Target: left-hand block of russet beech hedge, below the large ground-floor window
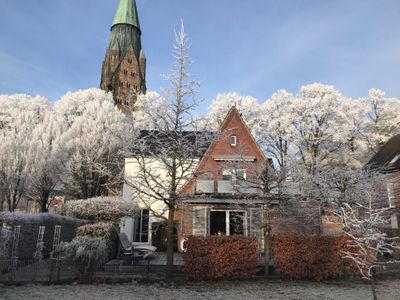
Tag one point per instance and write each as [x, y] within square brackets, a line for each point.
[219, 257]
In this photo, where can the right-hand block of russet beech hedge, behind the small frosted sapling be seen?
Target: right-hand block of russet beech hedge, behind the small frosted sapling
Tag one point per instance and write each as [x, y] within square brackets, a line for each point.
[310, 257]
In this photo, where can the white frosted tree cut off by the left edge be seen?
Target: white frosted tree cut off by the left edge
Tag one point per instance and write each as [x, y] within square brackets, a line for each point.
[19, 116]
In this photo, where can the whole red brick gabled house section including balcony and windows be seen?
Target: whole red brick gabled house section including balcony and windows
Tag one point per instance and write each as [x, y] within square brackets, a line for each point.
[224, 195]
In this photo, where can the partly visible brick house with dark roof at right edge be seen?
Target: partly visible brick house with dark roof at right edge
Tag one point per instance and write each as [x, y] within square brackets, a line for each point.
[387, 162]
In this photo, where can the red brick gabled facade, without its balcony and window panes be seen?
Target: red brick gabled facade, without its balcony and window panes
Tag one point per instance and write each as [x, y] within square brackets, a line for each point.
[224, 153]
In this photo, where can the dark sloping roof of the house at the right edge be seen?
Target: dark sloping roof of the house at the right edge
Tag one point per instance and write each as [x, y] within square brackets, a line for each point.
[388, 157]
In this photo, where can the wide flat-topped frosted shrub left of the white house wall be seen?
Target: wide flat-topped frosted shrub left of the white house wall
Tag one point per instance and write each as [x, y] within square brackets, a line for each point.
[100, 209]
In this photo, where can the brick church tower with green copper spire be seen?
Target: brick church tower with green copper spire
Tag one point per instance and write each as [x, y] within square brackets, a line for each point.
[124, 66]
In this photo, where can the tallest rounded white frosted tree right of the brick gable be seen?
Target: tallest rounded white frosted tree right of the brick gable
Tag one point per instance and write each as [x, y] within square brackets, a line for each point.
[318, 125]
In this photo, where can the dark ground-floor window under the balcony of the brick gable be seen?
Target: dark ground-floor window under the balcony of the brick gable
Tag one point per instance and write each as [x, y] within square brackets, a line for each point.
[227, 222]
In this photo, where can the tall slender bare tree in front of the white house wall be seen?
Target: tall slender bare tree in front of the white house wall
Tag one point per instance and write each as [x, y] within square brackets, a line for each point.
[164, 158]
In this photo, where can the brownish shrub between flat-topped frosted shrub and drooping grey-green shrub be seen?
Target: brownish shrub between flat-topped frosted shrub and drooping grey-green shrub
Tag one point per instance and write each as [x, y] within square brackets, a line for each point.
[107, 231]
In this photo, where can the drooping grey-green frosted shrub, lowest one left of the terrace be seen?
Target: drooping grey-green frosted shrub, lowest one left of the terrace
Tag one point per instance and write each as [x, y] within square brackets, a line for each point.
[85, 254]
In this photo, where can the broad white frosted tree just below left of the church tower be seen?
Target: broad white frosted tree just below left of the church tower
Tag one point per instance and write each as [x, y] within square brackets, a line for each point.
[94, 141]
